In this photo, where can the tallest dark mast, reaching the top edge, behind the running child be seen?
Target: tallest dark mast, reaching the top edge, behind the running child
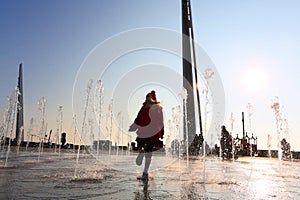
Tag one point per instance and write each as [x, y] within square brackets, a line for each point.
[188, 52]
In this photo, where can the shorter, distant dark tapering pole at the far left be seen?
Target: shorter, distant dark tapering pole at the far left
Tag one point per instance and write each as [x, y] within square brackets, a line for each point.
[20, 108]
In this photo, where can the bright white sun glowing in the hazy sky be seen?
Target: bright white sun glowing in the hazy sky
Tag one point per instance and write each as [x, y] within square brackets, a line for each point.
[254, 79]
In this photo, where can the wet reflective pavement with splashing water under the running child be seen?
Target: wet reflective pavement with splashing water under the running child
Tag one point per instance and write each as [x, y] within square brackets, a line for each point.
[50, 175]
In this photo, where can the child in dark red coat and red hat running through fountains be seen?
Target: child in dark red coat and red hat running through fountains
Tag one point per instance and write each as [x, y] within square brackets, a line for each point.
[149, 128]
